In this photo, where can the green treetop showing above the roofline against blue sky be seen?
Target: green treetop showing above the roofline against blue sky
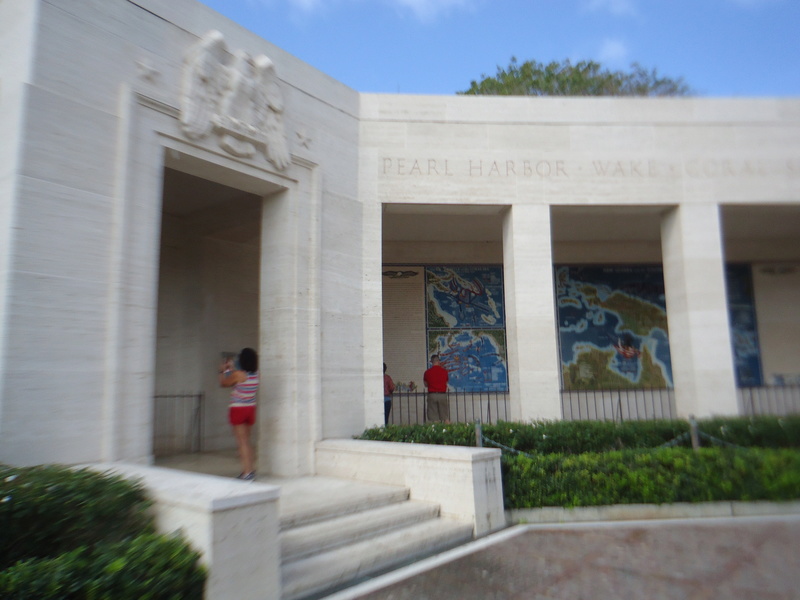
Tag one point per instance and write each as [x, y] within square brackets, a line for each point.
[584, 78]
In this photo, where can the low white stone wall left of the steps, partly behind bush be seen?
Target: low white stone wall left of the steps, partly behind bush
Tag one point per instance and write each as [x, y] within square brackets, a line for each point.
[234, 524]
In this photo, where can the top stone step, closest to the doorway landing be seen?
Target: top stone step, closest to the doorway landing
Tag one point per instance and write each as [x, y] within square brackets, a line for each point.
[316, 499]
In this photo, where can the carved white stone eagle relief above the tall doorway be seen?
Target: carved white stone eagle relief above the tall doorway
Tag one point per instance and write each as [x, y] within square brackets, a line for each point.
[236, 98]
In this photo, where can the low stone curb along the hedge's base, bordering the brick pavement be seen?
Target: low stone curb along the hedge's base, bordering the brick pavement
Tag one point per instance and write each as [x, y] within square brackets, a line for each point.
[639, 512]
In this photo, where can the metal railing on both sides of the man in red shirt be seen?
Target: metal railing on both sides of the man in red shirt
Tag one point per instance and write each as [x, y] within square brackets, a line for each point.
[408, 408]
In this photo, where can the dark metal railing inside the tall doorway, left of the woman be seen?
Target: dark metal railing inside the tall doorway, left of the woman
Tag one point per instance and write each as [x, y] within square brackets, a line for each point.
[177, 424]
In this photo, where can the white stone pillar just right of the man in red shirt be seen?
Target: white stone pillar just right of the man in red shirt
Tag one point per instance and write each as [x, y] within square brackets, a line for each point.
[531, 331]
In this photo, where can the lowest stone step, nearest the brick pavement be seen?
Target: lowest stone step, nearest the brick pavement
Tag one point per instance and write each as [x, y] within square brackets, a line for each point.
[346, 565]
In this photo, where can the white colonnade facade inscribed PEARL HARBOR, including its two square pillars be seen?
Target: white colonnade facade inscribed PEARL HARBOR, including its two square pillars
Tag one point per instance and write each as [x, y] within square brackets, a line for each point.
[688, 183]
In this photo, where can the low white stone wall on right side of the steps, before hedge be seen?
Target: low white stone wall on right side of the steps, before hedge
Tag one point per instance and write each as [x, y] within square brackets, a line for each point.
[465, 482]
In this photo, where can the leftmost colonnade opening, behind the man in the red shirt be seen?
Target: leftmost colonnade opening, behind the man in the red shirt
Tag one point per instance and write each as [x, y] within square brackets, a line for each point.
[442, 278]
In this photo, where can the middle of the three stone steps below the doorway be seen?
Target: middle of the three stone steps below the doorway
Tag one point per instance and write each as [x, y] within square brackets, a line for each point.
[299, 542]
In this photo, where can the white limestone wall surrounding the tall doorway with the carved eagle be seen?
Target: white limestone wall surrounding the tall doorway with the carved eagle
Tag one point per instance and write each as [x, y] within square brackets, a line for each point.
[98, 112]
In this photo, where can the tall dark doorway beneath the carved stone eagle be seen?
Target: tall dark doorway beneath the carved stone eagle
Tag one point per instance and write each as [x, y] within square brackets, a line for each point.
[208, 304]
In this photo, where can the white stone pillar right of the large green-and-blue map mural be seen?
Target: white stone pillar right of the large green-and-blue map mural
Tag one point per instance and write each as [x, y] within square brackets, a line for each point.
[697, 311]
